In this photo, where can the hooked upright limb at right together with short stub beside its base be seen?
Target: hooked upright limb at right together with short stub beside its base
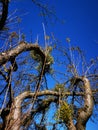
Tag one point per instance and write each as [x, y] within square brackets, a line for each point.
[85, 112]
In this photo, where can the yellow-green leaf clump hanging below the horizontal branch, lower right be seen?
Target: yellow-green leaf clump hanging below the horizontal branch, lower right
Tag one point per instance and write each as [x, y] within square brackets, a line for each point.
[64, 113]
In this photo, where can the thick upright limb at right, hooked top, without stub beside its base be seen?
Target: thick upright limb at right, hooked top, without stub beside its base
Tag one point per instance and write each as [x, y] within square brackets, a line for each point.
[85, 112]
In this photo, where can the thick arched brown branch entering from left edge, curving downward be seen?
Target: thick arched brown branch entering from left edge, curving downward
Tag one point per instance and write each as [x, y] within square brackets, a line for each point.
[9, 55]
